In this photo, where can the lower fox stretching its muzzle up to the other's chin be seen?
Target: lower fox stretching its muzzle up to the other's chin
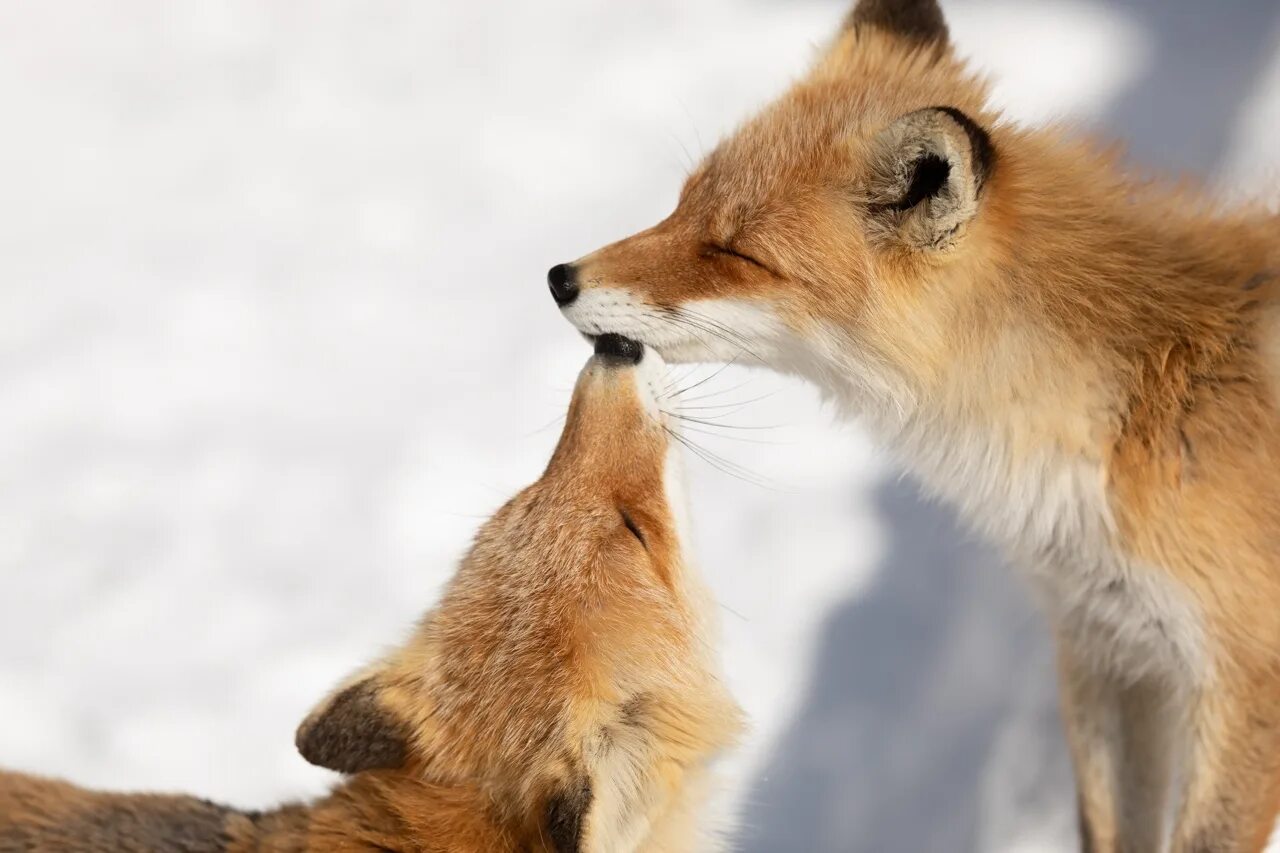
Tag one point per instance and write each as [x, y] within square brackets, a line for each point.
[560, 699]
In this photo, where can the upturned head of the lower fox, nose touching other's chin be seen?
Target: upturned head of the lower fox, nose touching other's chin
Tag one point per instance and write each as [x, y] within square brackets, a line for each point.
[566, 676]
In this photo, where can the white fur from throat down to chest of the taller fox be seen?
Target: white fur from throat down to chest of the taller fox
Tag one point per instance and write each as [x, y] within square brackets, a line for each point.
[1045, 508]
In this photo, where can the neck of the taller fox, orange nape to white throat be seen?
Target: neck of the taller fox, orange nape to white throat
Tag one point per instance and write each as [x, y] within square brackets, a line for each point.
[1085, 317]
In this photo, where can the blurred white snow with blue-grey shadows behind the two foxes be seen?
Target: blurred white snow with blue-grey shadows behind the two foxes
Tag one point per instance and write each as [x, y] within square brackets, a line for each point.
[276, 337]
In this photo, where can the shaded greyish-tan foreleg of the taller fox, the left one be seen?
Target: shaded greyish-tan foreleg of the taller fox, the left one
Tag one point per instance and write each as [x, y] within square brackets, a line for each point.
[1123, 745]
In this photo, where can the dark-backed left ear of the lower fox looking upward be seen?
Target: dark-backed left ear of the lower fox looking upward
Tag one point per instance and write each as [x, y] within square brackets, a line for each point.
[354, 735]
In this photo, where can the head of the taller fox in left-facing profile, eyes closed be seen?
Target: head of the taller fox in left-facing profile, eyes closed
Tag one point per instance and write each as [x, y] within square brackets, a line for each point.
[825, 225]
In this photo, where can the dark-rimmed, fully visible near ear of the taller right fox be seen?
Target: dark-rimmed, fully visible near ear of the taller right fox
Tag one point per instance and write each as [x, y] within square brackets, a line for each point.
[927, 174]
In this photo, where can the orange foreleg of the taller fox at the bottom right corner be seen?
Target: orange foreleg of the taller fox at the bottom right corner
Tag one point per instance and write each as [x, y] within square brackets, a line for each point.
[1232, 788]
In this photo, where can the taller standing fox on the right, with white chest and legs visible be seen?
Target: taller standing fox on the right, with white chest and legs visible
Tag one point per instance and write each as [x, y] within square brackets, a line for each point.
[1087, 366]
